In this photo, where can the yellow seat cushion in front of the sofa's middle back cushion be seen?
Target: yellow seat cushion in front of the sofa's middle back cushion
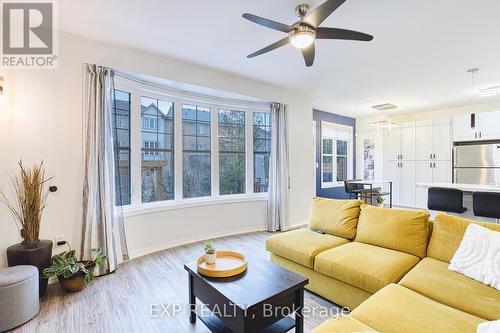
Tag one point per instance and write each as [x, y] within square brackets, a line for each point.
[364, 266]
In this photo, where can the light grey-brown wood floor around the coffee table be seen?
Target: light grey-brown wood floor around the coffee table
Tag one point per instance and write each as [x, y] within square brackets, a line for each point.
[122, 301]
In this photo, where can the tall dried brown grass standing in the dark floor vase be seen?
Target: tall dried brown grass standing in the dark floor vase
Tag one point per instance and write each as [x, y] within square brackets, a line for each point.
[30, 199]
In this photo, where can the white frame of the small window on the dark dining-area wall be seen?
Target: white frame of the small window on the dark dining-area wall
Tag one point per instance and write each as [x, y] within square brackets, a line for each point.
[350, 153]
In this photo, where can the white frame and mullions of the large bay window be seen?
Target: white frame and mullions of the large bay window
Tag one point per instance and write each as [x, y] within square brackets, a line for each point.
[180, 98]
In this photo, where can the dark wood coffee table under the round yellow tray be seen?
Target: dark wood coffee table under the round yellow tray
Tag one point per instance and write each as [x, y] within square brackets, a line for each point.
[261, 299]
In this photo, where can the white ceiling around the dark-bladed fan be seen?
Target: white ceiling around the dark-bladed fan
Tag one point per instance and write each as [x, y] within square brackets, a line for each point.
[417, 60]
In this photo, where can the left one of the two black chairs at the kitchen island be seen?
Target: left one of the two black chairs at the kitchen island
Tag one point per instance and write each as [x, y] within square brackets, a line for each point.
[446, 200]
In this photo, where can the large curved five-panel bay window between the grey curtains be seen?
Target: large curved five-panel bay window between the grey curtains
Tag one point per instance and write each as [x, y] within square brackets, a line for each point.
[175, 147]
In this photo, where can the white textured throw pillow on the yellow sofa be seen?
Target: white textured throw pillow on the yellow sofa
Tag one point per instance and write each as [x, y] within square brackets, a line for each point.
[478, 256]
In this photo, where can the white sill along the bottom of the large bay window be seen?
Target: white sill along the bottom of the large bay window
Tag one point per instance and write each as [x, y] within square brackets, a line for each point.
[155, 207]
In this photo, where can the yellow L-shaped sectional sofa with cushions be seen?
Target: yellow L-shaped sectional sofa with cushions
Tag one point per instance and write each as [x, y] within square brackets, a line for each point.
[389, 266]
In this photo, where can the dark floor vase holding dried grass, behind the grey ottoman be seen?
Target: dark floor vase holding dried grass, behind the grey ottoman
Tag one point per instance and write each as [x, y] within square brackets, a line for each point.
[38, 254]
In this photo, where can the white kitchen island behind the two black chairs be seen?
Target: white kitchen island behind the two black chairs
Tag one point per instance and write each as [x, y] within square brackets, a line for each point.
[468, 189]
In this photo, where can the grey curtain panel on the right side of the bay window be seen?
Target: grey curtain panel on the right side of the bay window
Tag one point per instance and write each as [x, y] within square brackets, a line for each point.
[278, 203]
